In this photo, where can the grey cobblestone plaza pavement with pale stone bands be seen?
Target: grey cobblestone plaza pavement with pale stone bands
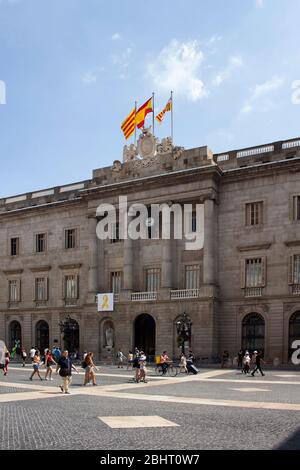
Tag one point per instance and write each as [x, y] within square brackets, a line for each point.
[216, 409]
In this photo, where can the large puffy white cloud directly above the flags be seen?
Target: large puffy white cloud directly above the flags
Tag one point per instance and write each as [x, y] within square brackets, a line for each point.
[177, 68]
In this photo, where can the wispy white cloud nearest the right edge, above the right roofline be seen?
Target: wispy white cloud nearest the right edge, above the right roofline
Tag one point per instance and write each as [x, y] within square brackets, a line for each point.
[259, 97]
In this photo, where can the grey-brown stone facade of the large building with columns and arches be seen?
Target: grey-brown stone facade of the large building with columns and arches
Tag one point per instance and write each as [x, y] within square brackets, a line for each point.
[241, 290]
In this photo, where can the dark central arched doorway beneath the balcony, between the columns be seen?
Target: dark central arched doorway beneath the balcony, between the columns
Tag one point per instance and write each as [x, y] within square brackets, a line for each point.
[144, 334]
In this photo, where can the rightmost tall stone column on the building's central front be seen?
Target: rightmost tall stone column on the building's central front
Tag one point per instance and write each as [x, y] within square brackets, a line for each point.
[209, 242]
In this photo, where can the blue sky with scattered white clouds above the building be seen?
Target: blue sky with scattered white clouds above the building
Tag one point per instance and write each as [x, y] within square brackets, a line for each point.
[73, 69]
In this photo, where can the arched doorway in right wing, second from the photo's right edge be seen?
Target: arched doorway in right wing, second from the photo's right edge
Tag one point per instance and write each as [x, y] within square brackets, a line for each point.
[253, 333]
